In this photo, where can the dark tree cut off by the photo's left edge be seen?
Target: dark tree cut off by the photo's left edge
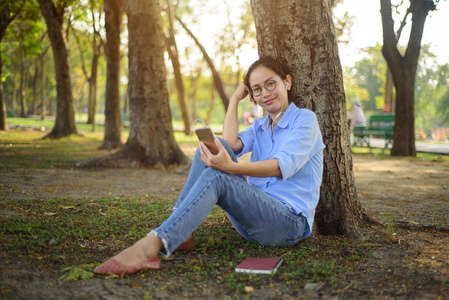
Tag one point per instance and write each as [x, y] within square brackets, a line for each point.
[8, 11]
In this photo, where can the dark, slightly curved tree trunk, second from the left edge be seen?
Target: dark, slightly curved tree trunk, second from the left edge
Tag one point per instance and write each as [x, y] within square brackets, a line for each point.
[65, 114]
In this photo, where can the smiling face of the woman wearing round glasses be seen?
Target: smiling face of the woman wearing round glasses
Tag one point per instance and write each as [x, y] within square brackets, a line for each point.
[273, 101]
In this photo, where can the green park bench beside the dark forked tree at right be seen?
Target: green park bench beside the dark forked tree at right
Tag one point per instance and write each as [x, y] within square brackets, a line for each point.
[380, 126]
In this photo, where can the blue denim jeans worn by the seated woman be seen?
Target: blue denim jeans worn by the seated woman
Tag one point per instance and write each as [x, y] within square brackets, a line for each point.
[255, 215]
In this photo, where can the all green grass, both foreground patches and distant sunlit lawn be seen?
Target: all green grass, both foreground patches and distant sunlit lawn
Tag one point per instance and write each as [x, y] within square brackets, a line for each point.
[70, 235]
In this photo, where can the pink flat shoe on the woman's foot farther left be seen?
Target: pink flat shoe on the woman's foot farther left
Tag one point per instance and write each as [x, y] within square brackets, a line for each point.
[112, 266]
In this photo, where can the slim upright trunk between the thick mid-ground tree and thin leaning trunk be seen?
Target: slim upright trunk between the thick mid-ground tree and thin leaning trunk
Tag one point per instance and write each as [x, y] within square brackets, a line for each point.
[172, 50]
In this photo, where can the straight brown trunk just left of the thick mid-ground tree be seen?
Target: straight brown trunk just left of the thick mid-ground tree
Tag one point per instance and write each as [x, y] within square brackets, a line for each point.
[113, 122]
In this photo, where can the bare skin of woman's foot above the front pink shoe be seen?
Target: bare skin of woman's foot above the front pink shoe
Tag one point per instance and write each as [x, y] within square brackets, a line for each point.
[144, 249]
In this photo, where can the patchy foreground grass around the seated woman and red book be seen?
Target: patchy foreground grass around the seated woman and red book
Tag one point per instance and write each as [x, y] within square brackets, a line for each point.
[66, 233]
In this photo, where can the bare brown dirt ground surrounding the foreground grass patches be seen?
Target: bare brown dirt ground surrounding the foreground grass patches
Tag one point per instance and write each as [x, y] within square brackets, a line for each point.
[407, 262]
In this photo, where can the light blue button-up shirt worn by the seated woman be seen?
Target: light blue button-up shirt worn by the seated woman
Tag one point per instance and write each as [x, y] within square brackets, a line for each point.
[298, 146]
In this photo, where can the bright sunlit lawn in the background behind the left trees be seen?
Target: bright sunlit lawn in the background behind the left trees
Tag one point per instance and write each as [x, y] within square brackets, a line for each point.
[24, 147]
